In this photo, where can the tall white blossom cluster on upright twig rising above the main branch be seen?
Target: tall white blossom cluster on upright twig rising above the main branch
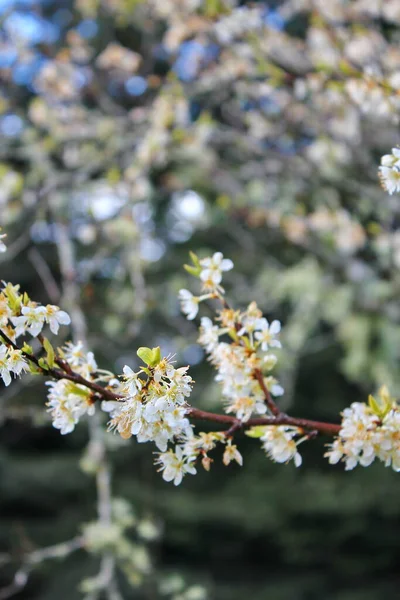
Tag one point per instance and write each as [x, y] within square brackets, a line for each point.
[251, 336]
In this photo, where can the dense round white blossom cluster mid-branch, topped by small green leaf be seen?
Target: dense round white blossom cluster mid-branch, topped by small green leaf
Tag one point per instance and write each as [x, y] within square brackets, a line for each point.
[153, 406]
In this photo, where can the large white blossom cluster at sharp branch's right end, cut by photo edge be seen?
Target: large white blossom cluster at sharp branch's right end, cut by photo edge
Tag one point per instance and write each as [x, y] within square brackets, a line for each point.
[369, 431]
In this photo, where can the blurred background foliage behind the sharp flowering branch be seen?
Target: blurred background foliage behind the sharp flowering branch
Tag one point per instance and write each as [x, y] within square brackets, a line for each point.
[142, 130]
